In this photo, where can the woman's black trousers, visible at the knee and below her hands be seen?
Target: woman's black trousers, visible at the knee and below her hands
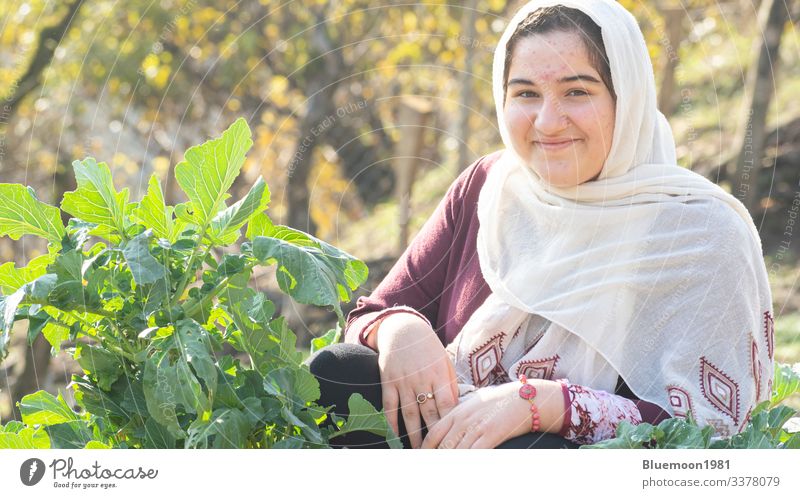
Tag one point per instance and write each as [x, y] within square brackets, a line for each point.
[344, 369]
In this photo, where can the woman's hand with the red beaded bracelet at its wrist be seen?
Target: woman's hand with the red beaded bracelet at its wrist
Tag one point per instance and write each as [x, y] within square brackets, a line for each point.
[495, 414]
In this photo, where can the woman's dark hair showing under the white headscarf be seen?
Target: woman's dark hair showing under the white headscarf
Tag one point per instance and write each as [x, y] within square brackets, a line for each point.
[563, 19]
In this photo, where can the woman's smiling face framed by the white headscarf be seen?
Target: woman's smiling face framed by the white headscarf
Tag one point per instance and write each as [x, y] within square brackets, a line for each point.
[558, 112]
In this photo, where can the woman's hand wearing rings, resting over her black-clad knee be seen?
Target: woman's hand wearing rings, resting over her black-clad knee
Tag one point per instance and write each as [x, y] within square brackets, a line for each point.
[412, 360]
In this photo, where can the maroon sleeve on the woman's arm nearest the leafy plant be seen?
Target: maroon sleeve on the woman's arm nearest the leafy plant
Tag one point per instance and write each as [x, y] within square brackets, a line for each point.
[419, 277]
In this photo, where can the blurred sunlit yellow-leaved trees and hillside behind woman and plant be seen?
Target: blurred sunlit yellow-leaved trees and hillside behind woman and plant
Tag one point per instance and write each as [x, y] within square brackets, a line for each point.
[363, 113]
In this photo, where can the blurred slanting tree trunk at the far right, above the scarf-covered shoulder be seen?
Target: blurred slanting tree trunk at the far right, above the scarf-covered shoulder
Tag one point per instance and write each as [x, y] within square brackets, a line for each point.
[772, 16]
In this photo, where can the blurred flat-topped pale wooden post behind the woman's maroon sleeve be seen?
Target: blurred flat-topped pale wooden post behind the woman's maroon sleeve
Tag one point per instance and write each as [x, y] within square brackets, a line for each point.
[413, 116]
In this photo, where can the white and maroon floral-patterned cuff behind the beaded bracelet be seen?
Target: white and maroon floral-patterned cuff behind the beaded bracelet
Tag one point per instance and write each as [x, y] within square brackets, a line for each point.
[596, 414]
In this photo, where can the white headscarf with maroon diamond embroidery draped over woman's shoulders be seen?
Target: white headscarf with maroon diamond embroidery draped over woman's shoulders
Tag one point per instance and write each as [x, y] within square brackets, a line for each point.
[650, 272]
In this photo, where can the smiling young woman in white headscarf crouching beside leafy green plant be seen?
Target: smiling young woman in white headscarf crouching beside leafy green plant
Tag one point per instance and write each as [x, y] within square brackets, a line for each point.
[575, 279]
